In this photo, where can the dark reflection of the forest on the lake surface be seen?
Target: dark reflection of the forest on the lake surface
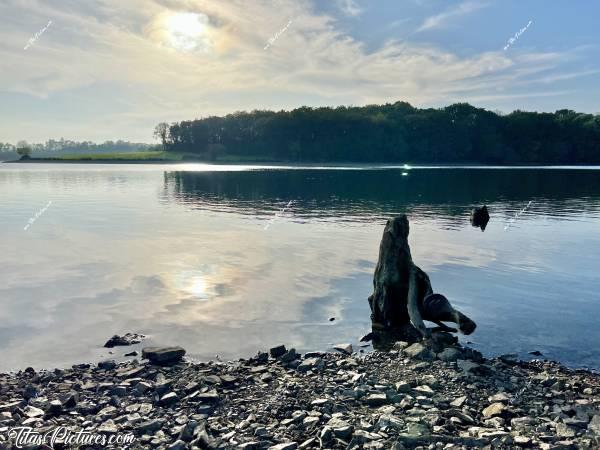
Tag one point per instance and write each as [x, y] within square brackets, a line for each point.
[375, 195]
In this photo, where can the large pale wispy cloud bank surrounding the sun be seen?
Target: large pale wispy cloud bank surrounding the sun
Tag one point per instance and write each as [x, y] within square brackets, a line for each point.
[105, 71]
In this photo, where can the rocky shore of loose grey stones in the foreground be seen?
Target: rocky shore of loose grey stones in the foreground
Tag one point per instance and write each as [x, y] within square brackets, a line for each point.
[410, 397]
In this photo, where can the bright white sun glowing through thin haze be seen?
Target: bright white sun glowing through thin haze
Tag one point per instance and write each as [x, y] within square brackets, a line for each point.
[187, 31]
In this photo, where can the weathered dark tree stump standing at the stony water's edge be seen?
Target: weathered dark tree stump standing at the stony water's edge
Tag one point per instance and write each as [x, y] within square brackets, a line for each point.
[400, 288]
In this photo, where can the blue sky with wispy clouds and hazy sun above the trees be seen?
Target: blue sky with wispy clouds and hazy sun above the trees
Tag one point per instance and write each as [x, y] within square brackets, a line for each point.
[112, 69]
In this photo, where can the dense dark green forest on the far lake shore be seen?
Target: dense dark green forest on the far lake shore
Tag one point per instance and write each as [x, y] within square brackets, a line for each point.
[398, 132]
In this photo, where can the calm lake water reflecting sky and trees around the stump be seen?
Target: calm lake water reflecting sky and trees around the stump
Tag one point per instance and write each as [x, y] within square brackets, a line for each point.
[217, 259]
